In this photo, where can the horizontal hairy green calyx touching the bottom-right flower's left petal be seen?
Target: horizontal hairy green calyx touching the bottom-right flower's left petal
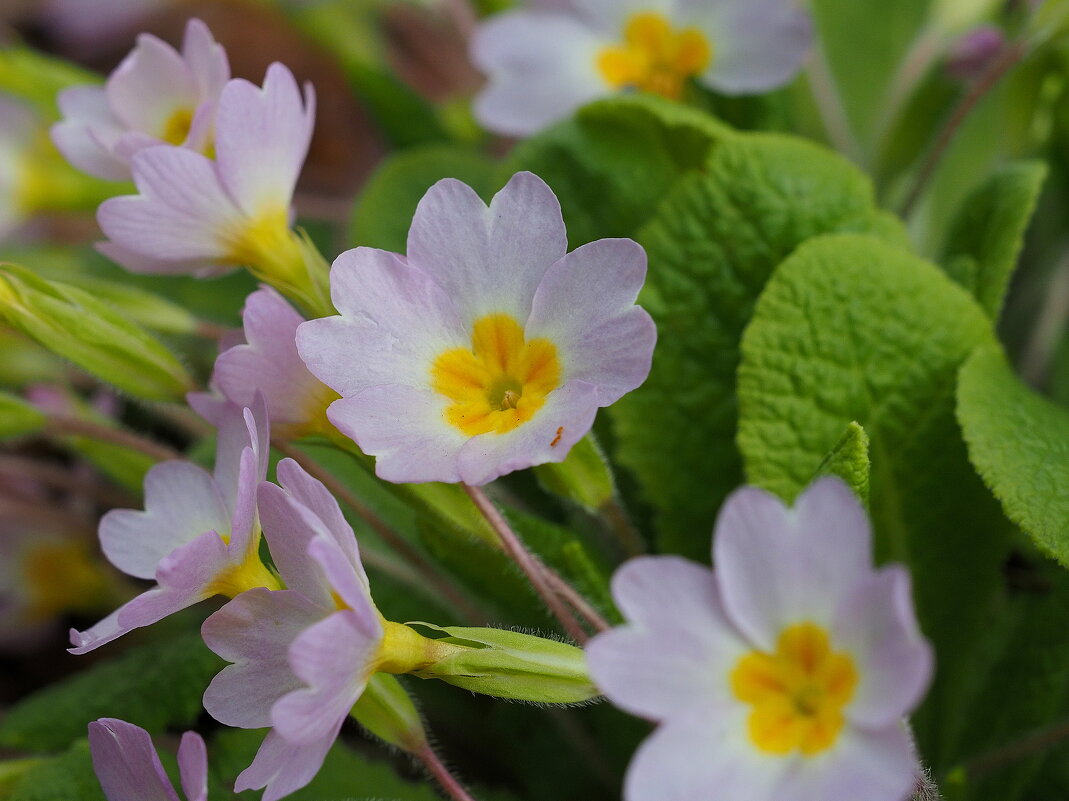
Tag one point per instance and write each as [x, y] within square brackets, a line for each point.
[510, 665]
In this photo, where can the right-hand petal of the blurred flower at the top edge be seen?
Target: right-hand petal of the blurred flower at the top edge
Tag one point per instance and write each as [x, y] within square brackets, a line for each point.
[758, 45]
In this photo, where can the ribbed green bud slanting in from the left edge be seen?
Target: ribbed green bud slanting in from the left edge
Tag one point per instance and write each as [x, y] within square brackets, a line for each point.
[75, 326]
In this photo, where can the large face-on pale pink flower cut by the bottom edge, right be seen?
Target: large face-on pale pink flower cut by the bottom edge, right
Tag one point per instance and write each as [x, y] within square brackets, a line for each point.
[789, 671]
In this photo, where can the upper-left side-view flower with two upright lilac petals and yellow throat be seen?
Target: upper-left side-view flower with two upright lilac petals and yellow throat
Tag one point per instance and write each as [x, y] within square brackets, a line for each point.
[195, 214]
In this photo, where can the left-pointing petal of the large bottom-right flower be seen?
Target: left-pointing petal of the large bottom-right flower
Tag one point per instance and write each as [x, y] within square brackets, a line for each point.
[678, 629]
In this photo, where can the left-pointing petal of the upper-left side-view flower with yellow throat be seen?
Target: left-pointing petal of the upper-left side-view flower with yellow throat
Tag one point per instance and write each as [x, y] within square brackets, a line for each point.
[183, 212]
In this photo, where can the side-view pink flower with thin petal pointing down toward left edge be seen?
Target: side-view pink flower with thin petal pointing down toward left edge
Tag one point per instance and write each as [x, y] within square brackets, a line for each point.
[199, 535]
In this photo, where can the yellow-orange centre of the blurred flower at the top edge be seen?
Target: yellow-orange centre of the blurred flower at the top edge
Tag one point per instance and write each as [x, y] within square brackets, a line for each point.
[656, 57]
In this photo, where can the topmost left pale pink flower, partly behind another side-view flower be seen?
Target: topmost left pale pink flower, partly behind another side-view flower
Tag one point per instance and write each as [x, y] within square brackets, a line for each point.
[156, 97]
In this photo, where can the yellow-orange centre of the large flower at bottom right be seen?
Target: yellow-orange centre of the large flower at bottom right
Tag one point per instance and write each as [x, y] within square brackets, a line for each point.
[798, 694]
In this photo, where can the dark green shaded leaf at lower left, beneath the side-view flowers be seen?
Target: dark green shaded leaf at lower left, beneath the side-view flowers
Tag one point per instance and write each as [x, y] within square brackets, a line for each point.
[154, 686]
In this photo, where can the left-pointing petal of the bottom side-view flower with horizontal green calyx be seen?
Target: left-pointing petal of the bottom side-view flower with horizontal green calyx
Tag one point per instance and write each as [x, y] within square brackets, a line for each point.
[255, 631]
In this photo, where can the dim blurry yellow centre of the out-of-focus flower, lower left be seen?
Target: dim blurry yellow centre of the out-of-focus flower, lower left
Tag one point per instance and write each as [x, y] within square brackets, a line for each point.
[61, 577]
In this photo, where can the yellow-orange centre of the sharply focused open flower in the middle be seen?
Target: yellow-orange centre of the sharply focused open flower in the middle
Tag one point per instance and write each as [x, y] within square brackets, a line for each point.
[502, 382]
